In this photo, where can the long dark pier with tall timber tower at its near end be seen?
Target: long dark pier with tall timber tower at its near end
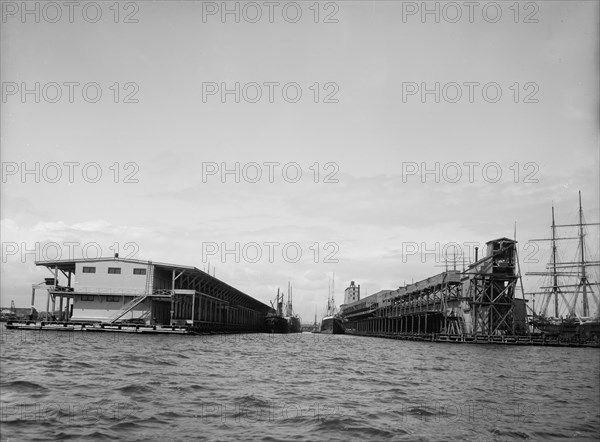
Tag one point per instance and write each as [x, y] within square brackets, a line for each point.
[477, 305]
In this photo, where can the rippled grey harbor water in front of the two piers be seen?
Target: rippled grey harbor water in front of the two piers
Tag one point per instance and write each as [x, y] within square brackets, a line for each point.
[78, 386]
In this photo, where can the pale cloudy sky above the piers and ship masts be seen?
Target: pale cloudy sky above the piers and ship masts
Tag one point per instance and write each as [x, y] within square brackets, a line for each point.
[365, 140]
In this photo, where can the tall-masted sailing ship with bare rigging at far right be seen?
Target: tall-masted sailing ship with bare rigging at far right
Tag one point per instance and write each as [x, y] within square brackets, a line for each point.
[569, 288]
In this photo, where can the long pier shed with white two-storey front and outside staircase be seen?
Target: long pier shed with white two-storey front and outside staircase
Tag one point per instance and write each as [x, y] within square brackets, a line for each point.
[121, 294]
